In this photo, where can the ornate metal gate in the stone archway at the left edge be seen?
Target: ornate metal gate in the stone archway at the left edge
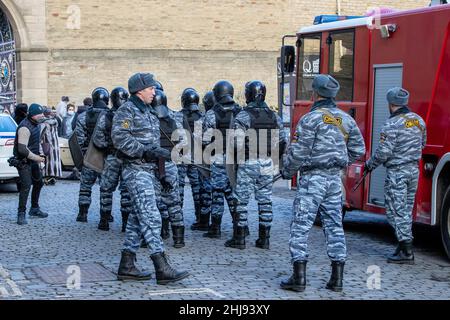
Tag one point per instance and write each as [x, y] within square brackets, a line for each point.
[8, 91]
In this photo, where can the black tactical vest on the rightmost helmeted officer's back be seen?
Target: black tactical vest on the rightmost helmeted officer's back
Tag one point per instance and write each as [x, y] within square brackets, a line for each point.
[261, 118]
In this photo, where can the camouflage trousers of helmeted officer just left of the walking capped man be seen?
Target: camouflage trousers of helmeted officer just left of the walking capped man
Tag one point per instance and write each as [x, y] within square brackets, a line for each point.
[111, 176]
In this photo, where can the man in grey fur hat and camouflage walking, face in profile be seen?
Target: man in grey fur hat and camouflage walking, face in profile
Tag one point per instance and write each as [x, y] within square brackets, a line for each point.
[136, 136]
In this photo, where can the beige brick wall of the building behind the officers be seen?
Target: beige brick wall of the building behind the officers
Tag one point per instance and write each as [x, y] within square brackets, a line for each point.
[185, 43]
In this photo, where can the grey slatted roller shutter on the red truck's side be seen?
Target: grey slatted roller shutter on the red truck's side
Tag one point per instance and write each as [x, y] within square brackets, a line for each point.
[385, 77]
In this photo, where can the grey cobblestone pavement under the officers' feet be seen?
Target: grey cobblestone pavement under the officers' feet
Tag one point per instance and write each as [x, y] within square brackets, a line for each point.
[33, 253]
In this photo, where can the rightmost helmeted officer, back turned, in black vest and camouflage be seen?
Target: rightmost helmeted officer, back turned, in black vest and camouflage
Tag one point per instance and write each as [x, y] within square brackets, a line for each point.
[256, 173]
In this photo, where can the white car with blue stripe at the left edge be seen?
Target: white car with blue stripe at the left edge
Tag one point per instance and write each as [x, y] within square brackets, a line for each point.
[7, 135]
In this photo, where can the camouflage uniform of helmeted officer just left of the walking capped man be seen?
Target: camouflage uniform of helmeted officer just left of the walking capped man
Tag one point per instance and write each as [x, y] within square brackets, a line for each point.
[112, 170]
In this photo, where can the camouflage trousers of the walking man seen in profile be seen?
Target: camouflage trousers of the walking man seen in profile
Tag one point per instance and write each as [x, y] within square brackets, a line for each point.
[144, 219]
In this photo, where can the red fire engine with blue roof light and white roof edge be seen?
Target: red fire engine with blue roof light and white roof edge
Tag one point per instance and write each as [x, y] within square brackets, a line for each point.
[368, 56]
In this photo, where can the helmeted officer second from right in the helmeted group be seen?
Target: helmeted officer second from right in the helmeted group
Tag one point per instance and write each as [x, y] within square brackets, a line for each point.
[219, 118]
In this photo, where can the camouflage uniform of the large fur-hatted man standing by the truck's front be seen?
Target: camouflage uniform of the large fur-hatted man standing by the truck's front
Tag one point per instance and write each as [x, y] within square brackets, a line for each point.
[320, 152]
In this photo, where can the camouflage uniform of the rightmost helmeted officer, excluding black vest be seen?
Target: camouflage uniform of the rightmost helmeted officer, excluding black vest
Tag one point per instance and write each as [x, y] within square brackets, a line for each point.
[255, 174]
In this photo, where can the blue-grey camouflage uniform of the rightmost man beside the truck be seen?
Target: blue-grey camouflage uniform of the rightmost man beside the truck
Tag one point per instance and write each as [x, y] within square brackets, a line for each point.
[402, 139]
